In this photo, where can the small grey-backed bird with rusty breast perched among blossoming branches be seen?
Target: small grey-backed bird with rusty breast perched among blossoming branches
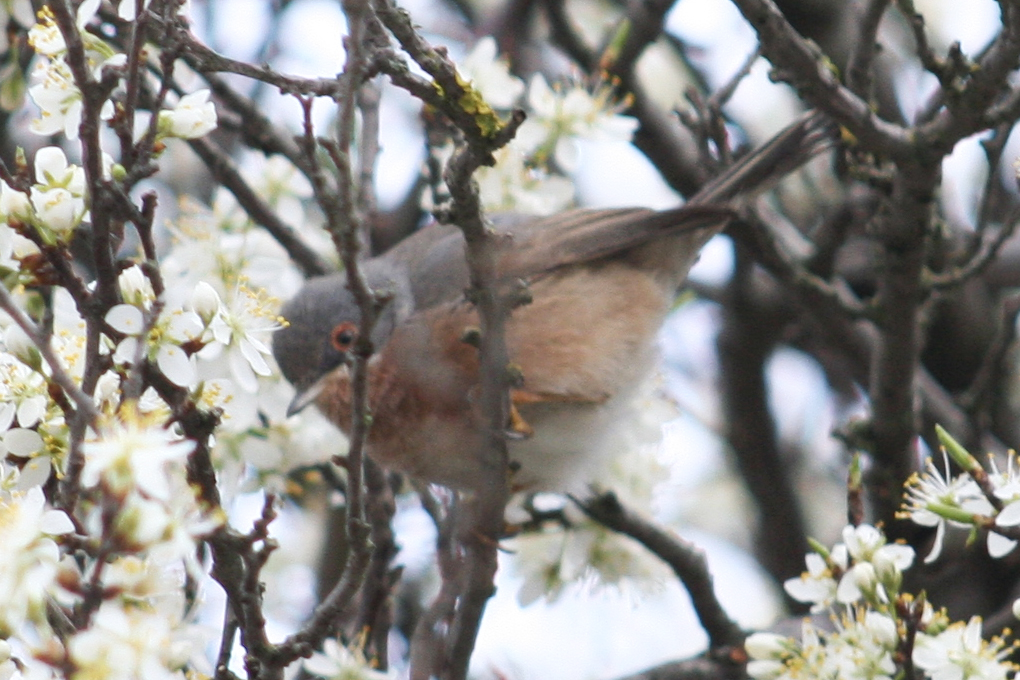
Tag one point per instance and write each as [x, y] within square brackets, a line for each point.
[601, 283]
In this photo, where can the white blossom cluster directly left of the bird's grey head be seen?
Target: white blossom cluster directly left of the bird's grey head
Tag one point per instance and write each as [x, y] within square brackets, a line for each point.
[232, 275]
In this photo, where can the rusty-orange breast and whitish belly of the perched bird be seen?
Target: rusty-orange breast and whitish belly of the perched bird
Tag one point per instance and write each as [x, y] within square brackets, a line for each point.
[585, 347]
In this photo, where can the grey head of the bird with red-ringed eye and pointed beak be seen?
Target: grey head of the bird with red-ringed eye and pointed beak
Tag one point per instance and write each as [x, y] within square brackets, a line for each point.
[325, 323]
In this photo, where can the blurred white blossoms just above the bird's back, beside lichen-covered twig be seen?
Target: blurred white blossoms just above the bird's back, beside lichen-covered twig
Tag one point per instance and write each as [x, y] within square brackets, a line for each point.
[532, 174]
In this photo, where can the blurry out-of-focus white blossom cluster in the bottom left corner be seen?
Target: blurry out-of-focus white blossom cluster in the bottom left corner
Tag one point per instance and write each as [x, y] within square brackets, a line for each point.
[148, 518]
